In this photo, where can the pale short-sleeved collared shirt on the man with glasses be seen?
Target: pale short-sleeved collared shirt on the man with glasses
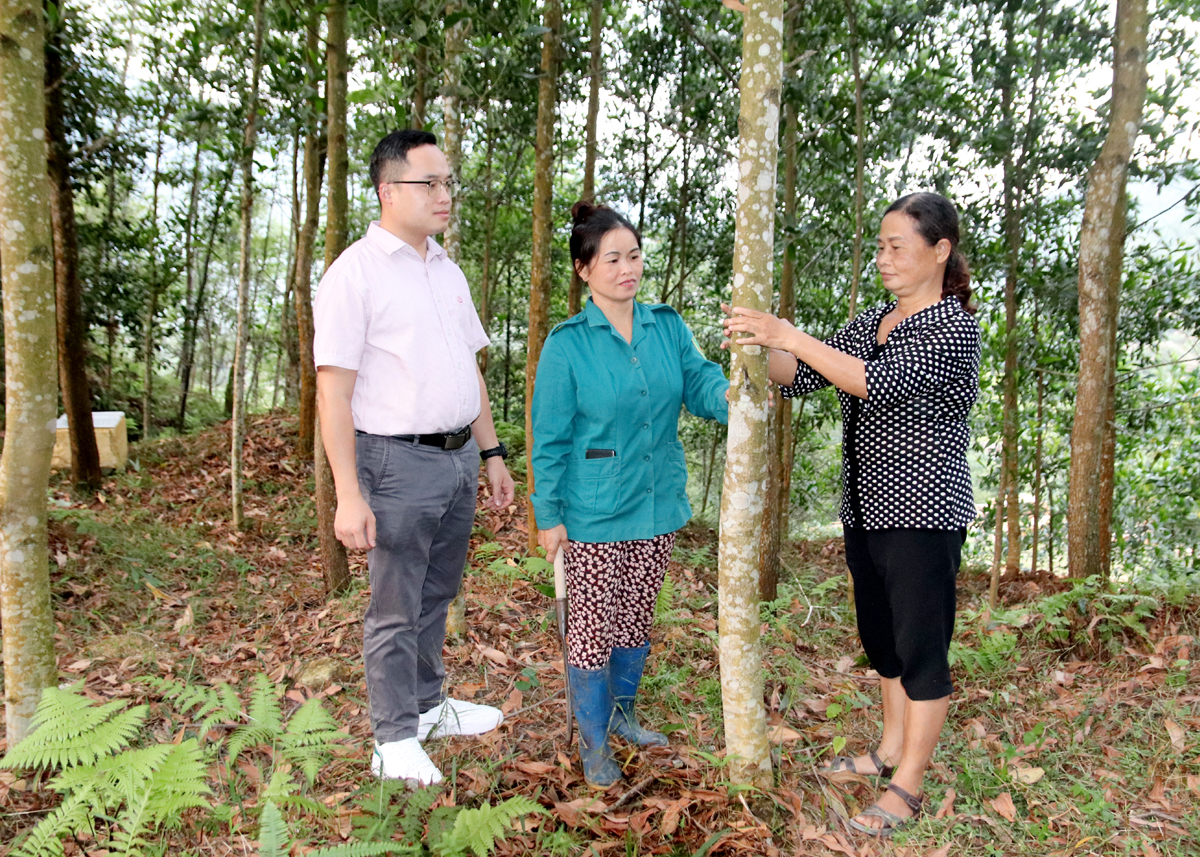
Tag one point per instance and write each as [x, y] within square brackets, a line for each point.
[409, 328]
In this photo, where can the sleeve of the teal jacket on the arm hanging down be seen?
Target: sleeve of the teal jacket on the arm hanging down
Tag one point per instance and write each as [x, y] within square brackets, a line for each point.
[553, 417]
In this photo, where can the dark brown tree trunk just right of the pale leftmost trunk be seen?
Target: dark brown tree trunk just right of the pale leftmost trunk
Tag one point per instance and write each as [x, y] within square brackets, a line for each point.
[73, 331]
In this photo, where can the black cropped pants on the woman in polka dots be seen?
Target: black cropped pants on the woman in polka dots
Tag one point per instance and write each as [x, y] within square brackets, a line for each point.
[905, 600]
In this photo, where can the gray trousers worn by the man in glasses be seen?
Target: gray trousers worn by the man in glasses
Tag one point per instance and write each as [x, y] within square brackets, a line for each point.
[424, 502]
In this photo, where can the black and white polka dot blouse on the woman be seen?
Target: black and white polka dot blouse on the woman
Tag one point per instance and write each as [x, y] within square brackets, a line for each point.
[905, 447]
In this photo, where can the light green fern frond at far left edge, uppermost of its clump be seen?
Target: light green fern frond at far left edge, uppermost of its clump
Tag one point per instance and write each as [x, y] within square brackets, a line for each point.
[69, 730]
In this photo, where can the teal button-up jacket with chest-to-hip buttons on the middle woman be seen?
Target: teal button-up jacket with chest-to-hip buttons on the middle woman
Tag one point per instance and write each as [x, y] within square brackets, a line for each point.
[595, 391]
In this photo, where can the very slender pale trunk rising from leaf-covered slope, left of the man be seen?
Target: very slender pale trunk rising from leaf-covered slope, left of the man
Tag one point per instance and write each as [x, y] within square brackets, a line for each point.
[244, 320]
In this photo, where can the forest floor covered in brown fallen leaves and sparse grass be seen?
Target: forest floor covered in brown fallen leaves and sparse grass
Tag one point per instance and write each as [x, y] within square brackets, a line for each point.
[1075, 728]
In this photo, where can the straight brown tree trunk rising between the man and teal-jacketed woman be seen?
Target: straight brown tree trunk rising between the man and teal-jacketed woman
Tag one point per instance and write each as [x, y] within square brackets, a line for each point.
[542, 274]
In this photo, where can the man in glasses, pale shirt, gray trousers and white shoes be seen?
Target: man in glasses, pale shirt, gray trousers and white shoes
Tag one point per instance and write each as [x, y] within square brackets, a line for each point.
[405, 413]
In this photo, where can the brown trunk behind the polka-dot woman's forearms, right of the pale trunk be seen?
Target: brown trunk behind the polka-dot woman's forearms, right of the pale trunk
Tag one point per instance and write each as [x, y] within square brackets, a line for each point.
[779, 483]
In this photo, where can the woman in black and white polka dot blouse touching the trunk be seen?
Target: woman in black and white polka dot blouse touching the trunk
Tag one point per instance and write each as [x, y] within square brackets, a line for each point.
[907, 376]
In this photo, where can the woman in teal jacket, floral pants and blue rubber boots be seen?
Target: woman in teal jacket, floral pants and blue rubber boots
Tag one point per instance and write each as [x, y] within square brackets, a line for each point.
[610, 477]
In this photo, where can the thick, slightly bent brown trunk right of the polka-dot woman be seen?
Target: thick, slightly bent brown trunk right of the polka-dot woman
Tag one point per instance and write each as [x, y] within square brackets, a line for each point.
[1101, 250]
